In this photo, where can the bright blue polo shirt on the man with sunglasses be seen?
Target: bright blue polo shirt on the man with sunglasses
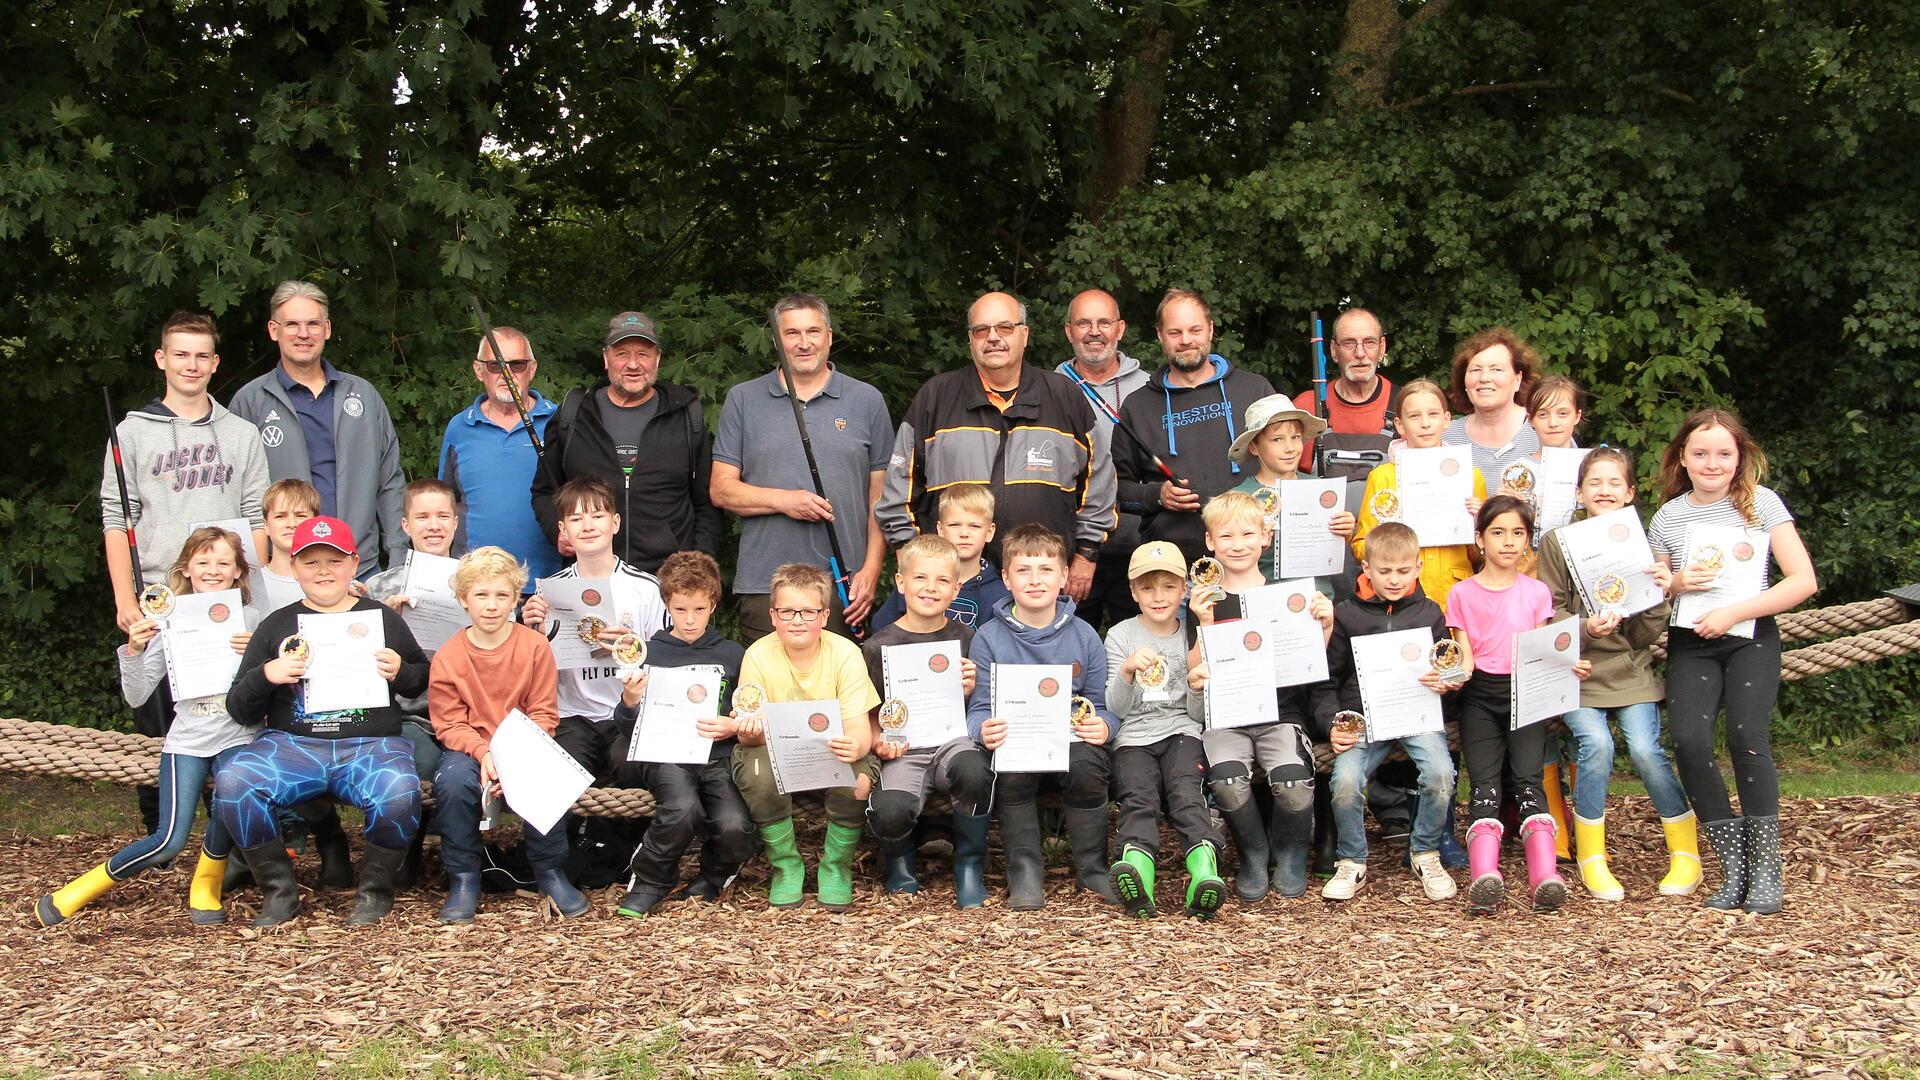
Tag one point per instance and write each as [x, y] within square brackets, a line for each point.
[492, 474]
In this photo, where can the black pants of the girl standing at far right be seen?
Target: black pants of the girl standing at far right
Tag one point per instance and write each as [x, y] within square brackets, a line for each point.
[1744, 677]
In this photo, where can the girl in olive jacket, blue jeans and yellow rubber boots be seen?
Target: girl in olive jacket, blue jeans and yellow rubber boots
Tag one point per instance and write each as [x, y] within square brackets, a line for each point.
[1621, 689]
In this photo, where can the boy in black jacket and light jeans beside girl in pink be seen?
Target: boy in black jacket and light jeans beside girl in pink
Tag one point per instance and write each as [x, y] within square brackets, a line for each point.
[1389, 601]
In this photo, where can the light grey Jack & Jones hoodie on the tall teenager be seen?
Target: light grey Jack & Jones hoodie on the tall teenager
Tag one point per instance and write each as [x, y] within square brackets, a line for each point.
[181, 472]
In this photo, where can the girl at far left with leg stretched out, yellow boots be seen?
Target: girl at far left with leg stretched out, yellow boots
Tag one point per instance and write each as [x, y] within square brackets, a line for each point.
[199, 743]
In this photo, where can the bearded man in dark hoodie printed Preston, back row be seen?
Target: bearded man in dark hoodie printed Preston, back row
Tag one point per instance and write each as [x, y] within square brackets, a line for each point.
[1191, 412]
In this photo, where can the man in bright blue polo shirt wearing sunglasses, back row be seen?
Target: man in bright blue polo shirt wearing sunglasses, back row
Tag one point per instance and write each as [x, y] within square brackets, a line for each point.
[489, 458]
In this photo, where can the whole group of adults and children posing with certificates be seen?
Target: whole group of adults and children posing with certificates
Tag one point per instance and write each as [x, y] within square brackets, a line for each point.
[1024, 512]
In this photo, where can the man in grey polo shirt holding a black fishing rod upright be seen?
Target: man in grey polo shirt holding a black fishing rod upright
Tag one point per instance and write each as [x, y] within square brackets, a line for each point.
[761, 472]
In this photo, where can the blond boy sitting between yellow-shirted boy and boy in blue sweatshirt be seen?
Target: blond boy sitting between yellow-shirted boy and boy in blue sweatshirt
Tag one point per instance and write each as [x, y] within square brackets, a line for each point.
[928, 581]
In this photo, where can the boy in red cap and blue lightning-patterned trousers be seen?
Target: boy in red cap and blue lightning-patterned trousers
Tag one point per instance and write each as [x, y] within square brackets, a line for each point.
[350, 754]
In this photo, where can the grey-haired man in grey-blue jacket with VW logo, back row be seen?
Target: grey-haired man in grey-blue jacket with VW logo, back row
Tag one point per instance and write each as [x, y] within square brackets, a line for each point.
[327, 428]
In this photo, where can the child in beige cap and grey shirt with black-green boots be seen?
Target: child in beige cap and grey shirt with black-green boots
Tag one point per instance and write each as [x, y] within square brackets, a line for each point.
[1159, 749]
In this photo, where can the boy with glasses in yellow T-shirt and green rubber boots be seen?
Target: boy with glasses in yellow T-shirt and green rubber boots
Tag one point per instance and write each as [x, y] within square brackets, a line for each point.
[804, 662]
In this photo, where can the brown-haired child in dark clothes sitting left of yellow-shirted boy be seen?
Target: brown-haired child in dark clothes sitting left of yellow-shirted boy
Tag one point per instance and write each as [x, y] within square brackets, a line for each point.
[694, 800]
